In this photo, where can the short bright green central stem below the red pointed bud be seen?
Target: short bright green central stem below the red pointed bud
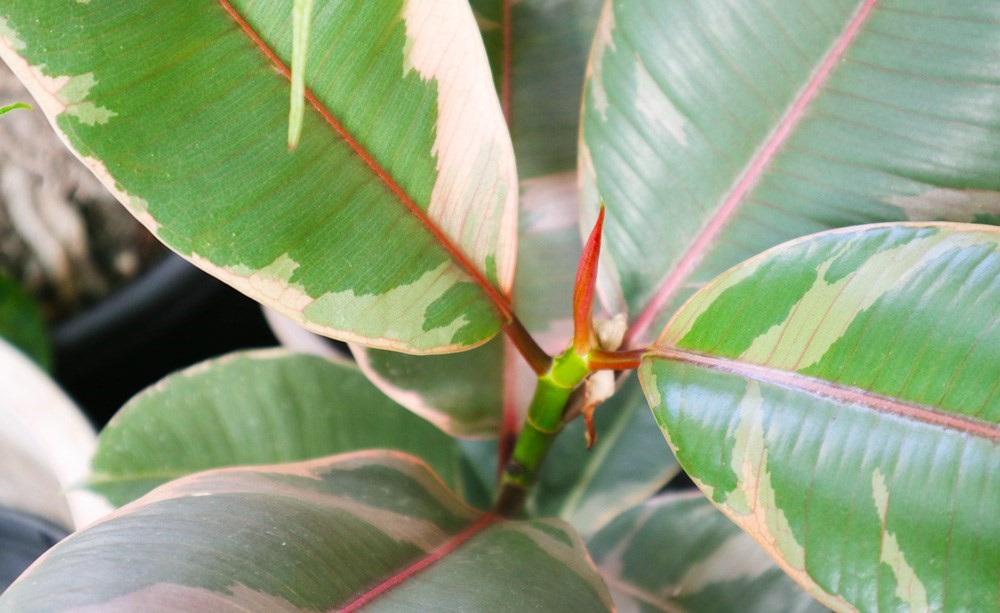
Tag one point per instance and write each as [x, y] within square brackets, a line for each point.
[543, 423]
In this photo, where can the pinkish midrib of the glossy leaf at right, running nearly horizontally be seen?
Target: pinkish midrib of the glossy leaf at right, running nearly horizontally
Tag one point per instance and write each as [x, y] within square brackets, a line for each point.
[827, 389]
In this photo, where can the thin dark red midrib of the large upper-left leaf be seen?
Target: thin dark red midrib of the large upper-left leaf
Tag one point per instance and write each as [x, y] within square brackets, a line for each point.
[499, 301]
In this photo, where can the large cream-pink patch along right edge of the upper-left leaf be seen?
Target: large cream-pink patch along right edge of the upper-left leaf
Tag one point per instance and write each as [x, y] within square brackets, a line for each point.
[474, 200]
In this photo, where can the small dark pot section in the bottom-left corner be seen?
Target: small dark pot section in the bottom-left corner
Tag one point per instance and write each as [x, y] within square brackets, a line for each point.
[23, 538]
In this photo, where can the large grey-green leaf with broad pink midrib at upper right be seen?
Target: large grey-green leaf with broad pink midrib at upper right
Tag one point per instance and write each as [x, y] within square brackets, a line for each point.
[714, 131]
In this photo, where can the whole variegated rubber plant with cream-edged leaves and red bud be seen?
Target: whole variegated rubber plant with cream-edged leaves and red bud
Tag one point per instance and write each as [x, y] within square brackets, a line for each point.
[832, 387]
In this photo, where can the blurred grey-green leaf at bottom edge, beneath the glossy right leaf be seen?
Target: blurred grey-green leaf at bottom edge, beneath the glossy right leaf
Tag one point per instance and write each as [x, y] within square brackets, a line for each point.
[678, 553]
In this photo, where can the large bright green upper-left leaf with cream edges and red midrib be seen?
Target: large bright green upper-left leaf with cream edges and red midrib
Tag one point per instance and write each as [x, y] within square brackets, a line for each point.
[394, 221]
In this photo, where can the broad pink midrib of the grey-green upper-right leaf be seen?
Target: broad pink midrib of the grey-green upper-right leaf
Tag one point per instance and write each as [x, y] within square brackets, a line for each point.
[735, 198]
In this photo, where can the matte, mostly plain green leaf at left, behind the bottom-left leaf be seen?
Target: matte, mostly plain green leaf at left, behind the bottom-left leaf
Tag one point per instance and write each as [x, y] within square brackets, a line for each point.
[261, 407]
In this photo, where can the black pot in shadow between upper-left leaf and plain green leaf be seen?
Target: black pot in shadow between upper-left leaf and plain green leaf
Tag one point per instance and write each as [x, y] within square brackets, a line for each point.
[170, 318]
